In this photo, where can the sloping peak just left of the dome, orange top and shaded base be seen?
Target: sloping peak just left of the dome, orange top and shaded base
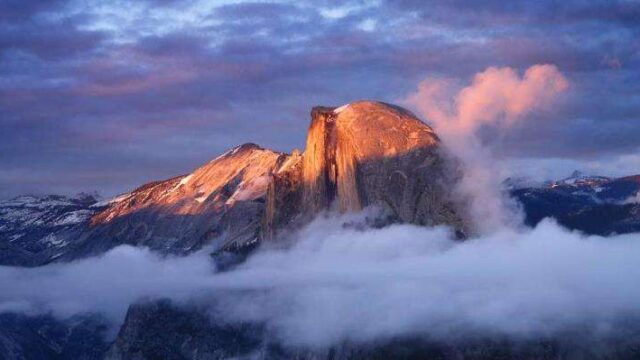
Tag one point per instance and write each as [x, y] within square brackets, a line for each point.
[222, 201]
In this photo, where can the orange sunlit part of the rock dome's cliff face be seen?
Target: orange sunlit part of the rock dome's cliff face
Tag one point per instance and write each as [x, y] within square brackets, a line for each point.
[357, 134]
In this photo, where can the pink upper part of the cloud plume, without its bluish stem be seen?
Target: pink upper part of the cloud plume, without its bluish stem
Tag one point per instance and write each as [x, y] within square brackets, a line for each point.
[496, 96]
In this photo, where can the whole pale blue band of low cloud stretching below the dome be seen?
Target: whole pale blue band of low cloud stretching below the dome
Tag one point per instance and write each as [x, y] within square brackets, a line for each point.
[341, 283]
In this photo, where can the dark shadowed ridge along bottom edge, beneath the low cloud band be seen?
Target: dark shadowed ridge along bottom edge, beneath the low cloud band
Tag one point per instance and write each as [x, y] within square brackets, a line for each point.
[162, 330]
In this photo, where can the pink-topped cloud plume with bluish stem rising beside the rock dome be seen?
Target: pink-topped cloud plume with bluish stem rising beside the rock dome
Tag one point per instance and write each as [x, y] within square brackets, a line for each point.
[497, 97]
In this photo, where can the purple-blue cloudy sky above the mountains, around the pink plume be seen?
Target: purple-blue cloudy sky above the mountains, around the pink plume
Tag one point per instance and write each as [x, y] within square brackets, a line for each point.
[107, 95]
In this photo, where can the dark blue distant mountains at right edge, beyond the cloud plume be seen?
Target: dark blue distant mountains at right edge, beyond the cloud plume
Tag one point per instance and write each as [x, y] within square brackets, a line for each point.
[592, 204]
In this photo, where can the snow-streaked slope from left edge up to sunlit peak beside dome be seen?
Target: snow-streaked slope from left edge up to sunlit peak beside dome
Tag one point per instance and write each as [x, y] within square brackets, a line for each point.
[220, 203]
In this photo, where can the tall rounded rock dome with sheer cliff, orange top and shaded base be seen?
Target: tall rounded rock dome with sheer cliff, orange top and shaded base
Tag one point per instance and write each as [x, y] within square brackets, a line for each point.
[362, 154]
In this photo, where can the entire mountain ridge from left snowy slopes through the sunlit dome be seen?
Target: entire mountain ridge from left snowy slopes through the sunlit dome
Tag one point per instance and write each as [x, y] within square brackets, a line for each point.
[362, 154]
